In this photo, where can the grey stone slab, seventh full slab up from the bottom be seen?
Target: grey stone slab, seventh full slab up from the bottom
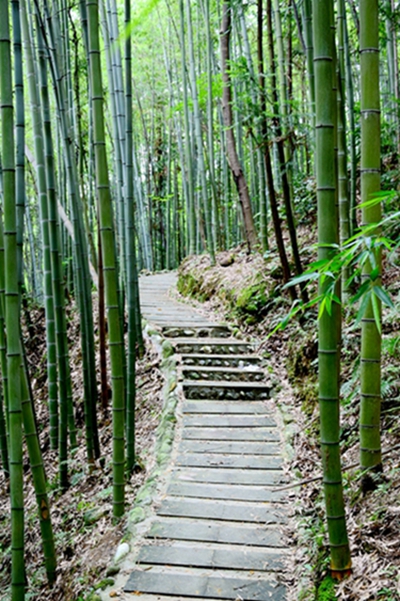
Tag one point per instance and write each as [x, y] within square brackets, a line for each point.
[248, 462]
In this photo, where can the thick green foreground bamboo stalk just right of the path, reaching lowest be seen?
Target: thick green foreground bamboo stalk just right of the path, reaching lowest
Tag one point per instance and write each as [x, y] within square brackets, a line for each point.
[329, 324]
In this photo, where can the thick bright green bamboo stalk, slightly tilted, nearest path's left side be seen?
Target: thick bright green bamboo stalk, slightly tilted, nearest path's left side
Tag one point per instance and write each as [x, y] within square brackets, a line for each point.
[110, 272]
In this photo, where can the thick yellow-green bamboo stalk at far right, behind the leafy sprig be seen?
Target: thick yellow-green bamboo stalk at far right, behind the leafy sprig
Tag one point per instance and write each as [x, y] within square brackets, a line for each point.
[370, 441]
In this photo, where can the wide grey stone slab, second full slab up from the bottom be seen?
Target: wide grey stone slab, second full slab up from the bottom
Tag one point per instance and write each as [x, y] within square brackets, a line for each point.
[211, 555]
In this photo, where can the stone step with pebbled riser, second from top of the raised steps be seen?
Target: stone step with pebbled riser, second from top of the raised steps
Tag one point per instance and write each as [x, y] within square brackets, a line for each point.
[211, 346]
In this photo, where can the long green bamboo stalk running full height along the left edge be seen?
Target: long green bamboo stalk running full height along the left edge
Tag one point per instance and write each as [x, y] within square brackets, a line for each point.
[12, 317]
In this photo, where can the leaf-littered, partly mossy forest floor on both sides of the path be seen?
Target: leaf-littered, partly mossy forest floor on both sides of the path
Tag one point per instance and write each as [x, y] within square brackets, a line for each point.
[242, 290]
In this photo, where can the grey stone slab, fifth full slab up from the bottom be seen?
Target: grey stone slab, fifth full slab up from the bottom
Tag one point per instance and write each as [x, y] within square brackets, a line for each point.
[227, 492]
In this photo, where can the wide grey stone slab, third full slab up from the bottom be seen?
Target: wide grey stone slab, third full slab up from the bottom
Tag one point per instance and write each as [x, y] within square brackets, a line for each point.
[253, 535]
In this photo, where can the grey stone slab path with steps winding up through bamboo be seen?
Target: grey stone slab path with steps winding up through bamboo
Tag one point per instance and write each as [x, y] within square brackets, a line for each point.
[217, 532]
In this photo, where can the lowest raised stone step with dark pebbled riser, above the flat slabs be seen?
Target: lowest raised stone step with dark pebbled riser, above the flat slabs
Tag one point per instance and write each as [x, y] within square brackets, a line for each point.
[227, 391]
